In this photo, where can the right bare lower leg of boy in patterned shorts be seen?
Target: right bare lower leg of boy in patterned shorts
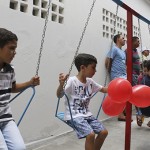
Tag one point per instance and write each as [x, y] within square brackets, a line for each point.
[100, 139]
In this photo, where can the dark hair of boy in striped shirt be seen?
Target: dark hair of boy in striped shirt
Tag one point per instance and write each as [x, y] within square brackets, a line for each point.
[6, 36]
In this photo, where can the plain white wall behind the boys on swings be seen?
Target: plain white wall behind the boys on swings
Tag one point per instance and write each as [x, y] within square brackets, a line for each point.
[59, 47]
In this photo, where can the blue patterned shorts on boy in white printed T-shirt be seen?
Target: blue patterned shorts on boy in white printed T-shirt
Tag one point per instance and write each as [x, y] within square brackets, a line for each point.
[86, 125]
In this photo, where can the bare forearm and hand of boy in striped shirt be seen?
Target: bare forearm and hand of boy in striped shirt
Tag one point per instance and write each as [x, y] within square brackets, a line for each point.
[17, 87]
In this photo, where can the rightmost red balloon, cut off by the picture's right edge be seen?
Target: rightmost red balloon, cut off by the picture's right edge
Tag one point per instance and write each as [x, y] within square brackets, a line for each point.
[140, 96]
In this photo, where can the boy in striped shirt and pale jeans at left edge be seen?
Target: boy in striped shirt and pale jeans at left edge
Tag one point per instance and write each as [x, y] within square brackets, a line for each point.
[10, 137]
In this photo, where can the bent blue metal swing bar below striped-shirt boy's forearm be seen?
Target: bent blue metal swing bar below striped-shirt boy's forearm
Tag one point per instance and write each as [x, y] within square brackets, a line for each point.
[28, 104]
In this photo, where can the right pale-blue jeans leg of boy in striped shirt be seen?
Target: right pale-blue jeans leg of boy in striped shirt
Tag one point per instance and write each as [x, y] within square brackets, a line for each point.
[12, 136]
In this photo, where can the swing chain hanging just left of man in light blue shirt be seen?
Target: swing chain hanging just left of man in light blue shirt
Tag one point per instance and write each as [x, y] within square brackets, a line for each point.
[114, 30]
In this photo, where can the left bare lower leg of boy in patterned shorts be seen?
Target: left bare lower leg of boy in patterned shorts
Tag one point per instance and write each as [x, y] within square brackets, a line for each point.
[89, 142]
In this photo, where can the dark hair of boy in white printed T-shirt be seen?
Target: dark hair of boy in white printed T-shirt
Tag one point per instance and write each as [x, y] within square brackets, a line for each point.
[84, 59]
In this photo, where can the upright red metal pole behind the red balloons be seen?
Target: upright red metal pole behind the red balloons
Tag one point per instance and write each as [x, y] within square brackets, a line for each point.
[129, 77]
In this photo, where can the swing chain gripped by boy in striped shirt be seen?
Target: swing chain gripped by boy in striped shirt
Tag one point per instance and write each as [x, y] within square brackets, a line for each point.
[43, 36]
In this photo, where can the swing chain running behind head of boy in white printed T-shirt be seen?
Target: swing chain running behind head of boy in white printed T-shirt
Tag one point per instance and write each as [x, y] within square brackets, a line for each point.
[80, 41]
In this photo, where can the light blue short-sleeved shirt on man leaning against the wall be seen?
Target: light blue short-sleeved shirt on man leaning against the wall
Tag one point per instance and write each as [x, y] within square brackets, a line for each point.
[118, 68]
